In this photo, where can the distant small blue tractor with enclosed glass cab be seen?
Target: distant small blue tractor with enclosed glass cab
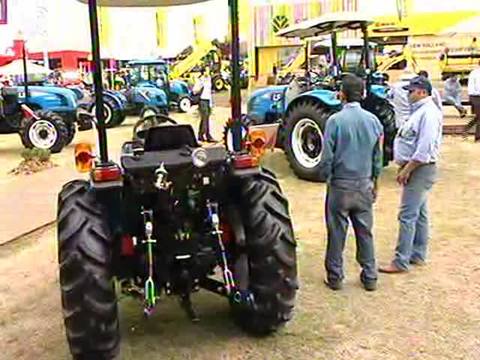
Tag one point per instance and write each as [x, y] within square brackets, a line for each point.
[151, 90]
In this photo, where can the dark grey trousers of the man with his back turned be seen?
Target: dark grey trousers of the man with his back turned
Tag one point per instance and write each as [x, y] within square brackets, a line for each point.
[350, 200]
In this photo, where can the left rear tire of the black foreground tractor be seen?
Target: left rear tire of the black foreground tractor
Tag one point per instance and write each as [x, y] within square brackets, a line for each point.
[84, 253]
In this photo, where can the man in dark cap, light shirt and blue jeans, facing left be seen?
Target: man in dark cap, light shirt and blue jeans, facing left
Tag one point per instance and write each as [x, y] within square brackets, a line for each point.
[416, 151]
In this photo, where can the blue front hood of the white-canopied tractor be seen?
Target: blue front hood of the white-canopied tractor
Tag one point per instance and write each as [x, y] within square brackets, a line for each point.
[267, 105]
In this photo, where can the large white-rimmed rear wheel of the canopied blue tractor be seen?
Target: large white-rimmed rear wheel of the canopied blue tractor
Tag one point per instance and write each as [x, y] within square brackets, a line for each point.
[305, 161]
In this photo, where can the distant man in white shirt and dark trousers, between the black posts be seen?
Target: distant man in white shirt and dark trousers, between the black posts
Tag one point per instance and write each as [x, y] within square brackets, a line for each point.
[204, 88]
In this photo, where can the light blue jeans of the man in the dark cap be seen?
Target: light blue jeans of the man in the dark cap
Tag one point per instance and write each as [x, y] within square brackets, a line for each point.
[413, 217]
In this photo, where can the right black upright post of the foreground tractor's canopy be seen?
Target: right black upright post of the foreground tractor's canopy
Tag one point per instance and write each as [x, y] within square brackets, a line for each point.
[235, 94]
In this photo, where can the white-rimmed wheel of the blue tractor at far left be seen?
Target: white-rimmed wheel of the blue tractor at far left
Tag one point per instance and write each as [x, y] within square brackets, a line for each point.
[49, 124]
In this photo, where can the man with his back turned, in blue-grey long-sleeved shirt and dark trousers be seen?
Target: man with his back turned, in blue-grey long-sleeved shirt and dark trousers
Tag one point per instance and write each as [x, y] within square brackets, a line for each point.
[351, 163]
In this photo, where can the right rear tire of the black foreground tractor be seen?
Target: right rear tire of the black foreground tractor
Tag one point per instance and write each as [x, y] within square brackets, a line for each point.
[271, 252]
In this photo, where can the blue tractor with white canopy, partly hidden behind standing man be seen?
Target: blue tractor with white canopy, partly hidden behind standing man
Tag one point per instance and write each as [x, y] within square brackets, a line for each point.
[303, 106]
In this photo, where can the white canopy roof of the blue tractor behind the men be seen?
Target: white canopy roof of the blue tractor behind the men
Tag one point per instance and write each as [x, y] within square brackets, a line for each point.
[326, 24]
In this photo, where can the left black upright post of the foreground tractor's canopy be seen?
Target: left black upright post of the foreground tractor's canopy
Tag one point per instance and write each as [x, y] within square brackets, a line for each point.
[97, 80]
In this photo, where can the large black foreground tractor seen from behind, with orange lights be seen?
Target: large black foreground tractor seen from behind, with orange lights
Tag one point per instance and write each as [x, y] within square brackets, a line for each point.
[172, 218]
